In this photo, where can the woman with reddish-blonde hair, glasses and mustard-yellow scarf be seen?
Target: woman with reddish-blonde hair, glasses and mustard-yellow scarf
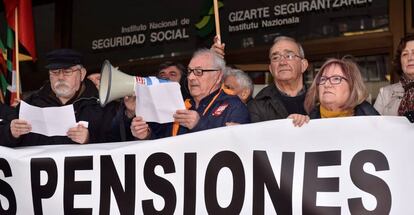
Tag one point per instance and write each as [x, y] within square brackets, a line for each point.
[338, 91]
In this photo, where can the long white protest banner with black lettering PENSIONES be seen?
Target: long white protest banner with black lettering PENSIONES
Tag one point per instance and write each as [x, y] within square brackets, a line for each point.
[353, 165]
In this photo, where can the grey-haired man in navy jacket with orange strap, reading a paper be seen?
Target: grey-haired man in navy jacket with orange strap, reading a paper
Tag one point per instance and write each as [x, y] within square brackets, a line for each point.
[209, 107]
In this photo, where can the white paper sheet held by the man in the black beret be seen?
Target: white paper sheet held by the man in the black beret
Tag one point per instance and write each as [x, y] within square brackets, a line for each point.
[49, 121]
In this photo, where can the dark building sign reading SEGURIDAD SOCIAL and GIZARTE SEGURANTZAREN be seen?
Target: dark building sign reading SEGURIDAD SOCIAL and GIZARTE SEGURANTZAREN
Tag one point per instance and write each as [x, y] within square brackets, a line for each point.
[130, 30]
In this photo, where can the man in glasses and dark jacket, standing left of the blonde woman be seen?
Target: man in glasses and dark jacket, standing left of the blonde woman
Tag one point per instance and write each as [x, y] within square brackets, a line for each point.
[283, 98]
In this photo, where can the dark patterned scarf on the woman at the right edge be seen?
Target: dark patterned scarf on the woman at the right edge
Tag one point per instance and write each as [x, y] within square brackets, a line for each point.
[407, 102]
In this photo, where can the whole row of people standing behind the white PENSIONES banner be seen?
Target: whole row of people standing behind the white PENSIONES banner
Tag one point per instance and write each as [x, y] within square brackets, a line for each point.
[214, 95]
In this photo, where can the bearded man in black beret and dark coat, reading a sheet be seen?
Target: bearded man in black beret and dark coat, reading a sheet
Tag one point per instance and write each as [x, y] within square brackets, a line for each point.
[67, 86]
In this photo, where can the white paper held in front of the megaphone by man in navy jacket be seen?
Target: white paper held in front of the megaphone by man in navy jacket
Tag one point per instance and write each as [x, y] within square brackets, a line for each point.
[159, 101]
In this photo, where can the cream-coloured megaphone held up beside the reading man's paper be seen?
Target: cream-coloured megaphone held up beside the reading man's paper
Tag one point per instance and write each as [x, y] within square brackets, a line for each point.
[114, 84]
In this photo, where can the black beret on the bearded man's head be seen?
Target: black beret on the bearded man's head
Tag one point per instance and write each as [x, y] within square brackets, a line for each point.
[63, 58]
